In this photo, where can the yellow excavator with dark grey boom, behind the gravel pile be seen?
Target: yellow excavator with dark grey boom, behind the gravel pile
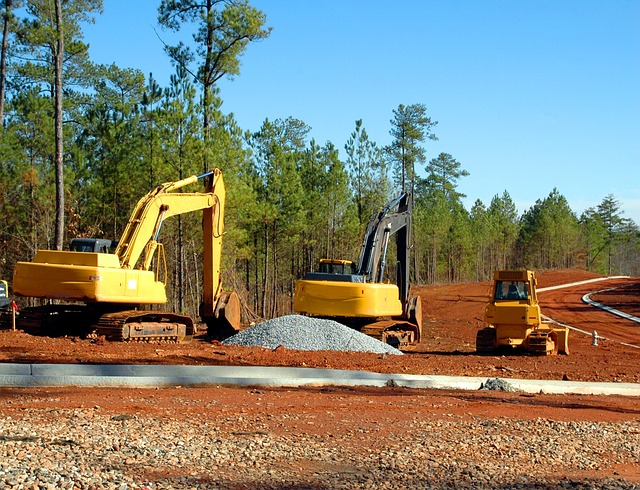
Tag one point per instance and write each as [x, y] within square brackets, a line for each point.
[357, 296]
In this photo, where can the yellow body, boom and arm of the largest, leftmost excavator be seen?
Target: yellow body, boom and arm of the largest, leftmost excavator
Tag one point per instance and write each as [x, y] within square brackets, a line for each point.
[126, 276]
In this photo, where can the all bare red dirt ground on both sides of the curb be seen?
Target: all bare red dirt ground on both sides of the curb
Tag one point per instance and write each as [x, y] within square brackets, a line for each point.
[452, 316]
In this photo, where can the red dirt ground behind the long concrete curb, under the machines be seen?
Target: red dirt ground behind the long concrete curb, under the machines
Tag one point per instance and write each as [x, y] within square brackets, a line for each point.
[452, 316]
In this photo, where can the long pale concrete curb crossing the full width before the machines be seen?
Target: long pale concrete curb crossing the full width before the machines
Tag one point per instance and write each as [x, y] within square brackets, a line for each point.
[149, 376]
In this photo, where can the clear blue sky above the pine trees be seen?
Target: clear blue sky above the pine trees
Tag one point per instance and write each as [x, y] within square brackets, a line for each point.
[529, 95]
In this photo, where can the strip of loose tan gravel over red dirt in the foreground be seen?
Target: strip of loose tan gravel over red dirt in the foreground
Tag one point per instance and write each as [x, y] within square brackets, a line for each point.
[87, 449]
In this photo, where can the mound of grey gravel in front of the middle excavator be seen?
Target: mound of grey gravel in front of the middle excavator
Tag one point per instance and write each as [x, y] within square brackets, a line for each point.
[299, 332]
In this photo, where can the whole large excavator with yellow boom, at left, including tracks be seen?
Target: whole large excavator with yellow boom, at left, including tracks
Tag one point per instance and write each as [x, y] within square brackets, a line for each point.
[106, 292]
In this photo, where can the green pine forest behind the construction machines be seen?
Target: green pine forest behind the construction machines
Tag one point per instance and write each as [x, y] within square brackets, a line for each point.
[81, 142]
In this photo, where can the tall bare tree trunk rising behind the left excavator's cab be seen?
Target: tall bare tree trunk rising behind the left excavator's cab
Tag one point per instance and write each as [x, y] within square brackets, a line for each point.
[59, 163]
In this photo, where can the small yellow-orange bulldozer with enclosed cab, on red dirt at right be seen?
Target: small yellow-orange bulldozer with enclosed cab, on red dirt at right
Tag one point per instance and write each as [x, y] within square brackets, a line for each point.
[513, 315]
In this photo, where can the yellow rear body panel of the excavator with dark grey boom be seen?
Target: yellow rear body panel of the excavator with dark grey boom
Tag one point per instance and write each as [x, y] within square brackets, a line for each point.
[346, 299]
